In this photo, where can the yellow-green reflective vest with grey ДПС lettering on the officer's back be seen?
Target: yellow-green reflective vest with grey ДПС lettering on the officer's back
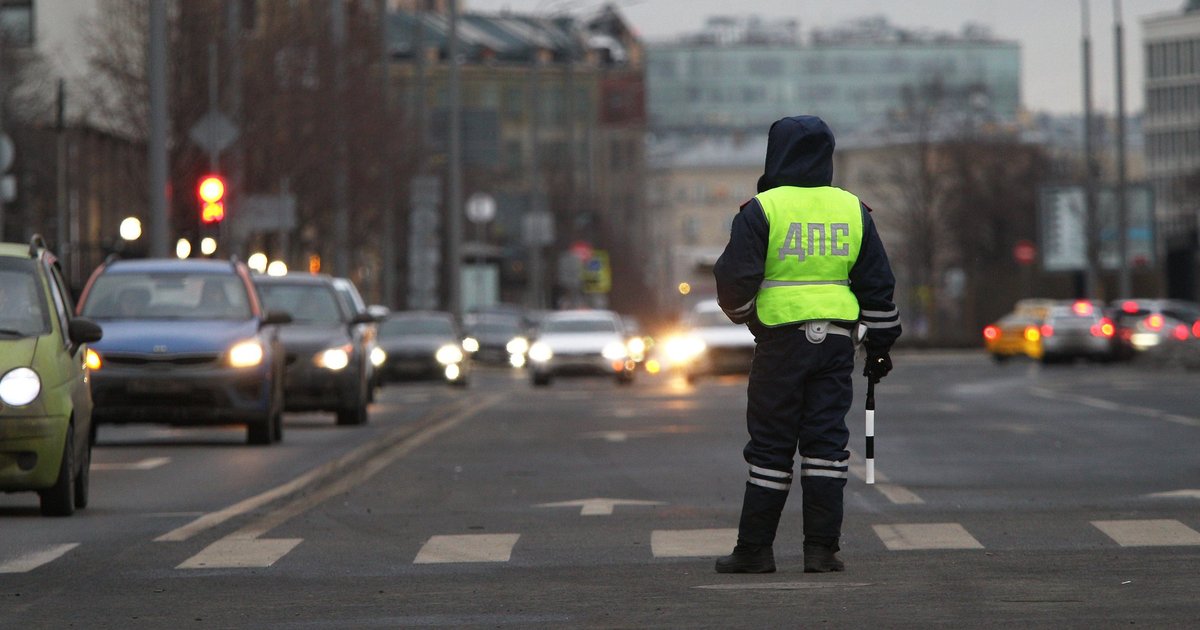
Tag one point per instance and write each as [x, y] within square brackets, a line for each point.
[814, 242]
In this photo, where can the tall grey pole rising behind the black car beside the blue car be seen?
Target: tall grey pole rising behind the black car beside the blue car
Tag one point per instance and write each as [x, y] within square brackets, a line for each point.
[341, 154]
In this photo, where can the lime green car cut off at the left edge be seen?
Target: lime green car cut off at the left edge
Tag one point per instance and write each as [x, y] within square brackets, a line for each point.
[46, 431]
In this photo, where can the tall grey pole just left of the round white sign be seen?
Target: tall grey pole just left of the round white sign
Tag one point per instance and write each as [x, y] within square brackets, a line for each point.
[454, 206]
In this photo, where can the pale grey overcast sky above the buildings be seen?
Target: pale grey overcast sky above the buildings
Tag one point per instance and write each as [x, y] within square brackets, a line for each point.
[1048, 31]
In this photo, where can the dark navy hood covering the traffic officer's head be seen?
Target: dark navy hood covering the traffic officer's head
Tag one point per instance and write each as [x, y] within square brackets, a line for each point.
[800, 153]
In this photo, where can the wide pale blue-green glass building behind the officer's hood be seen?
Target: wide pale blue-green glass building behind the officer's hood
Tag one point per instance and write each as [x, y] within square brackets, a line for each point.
[857, 87]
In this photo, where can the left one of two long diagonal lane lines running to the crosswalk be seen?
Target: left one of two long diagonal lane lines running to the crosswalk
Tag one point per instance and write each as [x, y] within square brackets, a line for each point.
[317, 475]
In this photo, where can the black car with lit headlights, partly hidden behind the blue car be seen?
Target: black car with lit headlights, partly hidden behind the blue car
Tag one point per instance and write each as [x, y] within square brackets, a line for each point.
[328, 369]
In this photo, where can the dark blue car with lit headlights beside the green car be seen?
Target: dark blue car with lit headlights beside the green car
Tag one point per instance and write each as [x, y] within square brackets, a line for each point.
[187, 343]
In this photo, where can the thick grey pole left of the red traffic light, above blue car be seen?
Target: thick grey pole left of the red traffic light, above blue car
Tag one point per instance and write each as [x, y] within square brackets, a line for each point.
[157, 154]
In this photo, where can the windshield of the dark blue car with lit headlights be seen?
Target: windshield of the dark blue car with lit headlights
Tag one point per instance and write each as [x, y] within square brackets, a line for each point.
[167, 296]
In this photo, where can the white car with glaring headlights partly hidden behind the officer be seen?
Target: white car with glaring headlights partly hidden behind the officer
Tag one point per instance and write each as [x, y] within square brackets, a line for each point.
[711, 345]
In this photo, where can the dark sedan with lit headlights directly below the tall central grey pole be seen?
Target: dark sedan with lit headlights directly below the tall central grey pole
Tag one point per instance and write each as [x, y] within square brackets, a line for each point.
[423, 345]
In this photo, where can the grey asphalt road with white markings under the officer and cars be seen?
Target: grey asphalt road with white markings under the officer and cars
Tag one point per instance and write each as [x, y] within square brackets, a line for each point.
[1007, 496]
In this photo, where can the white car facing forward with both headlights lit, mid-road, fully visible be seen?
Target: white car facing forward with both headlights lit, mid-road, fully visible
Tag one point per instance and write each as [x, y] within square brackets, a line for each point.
[580, 343]
